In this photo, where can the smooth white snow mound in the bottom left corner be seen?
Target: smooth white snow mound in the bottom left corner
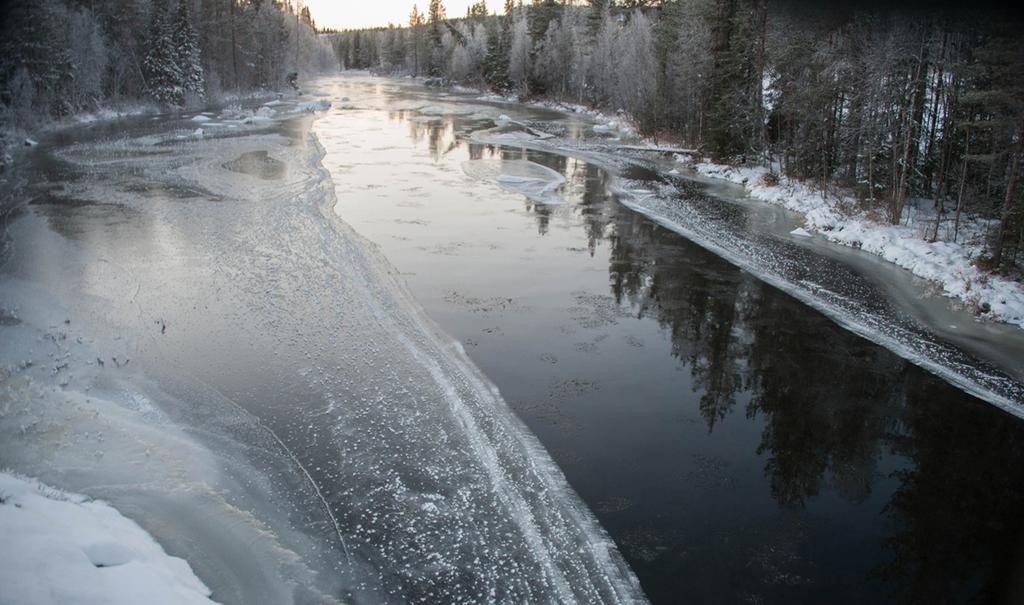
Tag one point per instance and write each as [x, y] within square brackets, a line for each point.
[65, 548]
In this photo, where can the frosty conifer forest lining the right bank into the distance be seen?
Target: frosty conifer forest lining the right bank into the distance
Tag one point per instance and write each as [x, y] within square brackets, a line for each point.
[891, 104]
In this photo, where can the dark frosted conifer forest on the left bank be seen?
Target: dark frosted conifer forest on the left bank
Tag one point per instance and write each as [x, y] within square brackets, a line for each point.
[62, 57]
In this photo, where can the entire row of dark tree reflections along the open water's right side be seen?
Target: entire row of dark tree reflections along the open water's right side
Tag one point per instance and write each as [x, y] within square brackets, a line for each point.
[833, 406]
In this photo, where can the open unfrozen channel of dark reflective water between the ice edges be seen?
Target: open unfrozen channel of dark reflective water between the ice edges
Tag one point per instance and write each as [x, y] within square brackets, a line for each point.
[740, 447]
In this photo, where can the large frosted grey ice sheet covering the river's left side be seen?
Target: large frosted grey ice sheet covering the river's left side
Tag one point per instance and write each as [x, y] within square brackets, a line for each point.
[228, 337]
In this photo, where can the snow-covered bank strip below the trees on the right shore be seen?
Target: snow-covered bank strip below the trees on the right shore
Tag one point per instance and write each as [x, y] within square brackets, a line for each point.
[952, 266]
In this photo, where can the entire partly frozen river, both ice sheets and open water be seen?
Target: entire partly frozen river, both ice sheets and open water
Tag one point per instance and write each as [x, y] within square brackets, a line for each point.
[432, 349]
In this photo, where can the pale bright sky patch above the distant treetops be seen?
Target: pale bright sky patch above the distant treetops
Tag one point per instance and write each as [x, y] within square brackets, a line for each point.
[345, 15]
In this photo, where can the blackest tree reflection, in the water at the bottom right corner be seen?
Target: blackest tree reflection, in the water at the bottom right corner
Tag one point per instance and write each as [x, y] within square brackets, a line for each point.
[959, 509]
